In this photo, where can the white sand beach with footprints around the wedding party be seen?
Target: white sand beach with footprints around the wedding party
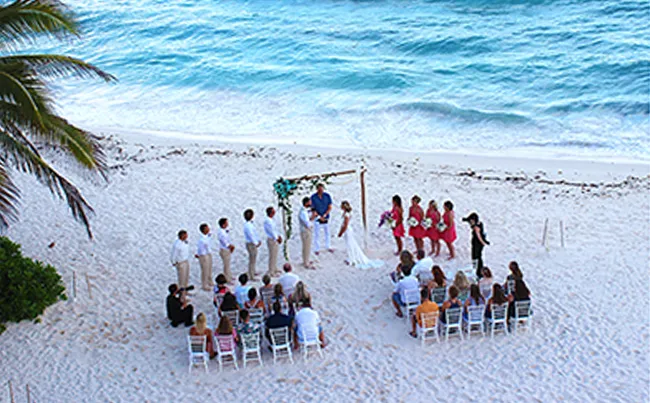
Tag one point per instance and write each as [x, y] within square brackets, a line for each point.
[591, 334]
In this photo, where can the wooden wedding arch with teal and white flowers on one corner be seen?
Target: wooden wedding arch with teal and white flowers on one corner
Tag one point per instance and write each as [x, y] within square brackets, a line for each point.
[285, 188]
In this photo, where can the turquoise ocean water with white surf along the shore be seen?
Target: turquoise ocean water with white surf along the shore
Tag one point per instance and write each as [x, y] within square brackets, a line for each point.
[560, 77]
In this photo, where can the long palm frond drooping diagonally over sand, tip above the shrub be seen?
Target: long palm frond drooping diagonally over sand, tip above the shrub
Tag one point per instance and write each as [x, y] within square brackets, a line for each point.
[20, 151]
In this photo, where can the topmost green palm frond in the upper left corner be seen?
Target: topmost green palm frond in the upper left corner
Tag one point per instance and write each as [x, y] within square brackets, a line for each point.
[24, 20]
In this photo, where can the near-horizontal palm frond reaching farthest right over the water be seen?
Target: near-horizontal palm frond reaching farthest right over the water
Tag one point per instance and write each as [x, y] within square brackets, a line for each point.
[57, 66]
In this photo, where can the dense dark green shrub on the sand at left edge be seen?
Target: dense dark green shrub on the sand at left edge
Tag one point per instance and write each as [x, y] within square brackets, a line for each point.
[27, 286]
